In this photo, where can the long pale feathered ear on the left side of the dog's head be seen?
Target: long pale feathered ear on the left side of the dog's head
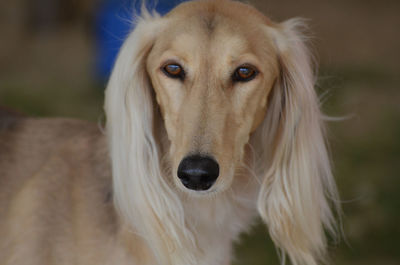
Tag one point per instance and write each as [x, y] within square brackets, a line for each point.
[141, 194]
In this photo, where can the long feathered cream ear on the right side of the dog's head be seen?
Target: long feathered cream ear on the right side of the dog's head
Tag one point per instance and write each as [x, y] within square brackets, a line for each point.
[297, 184]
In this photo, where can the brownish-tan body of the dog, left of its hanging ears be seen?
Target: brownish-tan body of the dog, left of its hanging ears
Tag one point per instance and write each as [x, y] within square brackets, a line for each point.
[51, 172]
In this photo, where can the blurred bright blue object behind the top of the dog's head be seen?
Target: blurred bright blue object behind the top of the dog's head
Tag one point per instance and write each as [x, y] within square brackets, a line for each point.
[113, 23]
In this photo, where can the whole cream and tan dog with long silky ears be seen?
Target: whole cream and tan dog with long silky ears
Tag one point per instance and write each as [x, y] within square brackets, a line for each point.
[212, 120]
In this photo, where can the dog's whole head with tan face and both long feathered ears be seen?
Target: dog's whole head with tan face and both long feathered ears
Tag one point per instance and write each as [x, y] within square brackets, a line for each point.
[201, 87]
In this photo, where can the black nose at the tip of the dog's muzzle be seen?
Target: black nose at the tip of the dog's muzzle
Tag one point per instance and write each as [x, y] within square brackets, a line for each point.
[198, 172]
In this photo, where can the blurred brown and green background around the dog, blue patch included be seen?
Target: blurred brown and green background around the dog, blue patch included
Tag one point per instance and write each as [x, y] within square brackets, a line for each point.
[55, 56]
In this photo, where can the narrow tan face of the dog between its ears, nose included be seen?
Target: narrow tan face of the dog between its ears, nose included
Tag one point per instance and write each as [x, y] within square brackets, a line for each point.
[212, 75]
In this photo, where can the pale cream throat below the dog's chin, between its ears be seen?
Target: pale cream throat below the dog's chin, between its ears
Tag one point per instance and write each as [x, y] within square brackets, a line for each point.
[218, 221]
